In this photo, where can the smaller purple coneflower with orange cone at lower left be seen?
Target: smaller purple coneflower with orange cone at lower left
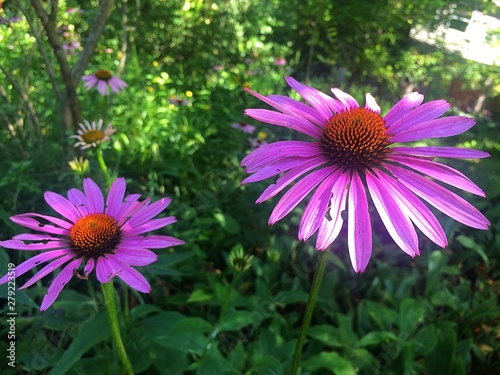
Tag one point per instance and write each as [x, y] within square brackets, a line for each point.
[107, 236]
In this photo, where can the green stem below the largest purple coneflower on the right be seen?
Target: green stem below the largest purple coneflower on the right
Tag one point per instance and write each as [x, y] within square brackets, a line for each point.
[313, 294]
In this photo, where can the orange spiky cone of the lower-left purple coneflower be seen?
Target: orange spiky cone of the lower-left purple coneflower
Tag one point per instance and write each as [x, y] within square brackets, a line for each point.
[94, 235]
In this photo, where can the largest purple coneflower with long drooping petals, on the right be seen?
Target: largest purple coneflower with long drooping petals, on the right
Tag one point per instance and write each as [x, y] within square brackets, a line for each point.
[354, 151]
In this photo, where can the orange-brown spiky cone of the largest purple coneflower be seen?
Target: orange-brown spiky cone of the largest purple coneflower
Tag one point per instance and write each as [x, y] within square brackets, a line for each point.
[356, 139]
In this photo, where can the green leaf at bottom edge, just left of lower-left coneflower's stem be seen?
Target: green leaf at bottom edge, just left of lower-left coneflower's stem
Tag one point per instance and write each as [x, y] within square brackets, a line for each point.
[92, 332]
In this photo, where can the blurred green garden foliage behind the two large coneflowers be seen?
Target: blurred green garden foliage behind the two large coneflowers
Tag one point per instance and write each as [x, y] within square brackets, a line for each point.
[436, 314]
